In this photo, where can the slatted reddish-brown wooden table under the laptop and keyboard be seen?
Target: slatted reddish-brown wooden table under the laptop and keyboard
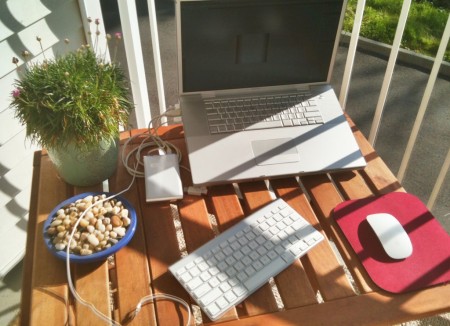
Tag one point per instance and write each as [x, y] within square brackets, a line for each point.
[314, 290]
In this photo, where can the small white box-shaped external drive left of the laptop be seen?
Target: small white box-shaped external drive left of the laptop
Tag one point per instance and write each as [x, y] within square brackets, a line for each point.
[162, 178]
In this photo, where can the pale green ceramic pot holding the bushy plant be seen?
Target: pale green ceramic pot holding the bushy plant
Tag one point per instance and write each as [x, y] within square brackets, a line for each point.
[85, 167]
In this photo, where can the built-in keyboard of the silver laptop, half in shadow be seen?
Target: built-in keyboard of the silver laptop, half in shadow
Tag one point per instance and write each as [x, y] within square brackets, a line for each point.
[262, 112]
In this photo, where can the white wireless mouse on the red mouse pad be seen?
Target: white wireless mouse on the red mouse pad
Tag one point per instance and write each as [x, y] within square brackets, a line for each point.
[392, 235]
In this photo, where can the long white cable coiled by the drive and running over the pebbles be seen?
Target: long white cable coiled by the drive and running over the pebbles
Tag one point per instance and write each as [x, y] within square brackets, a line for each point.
[160, 144]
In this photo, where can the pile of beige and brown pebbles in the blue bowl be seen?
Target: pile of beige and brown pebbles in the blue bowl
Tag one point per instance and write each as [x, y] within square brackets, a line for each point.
[101, 227]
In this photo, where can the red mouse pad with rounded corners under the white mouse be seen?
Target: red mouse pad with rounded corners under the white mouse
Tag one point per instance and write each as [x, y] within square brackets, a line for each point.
[429, 263]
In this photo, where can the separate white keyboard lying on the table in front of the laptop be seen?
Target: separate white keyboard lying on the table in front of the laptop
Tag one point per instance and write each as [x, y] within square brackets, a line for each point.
[227, 269]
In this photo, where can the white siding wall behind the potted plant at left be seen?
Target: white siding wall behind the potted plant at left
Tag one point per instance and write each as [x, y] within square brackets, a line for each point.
[20, 22]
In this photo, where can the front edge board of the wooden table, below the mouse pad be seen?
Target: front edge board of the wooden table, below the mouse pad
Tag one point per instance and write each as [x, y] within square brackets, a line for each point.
[347, 311]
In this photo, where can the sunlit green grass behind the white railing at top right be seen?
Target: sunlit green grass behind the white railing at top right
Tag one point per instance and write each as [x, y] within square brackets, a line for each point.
[424, 27]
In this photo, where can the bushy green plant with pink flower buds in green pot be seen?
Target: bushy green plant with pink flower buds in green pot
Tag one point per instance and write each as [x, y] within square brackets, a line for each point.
[73, 106]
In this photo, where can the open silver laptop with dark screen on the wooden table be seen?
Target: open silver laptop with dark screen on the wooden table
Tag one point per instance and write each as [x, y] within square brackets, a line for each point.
[254, 92]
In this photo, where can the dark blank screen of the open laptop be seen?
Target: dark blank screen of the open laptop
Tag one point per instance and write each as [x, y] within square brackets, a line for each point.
[233, 44]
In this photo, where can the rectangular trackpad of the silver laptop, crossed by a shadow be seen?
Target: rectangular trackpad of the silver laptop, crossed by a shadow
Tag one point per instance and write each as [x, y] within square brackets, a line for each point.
[274, 151]
